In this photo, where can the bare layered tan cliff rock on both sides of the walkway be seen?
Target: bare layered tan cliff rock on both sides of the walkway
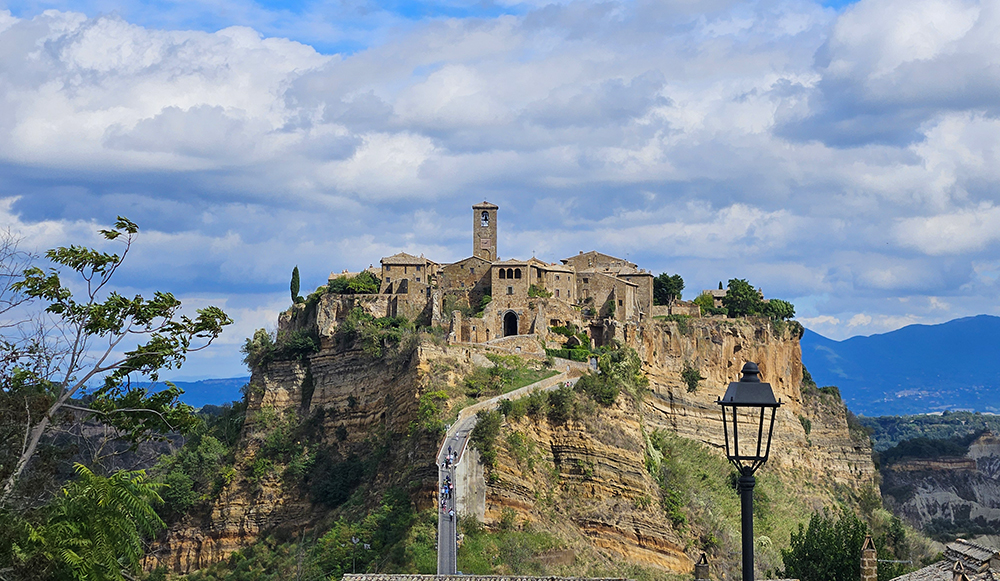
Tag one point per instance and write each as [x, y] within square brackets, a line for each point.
[587, 479]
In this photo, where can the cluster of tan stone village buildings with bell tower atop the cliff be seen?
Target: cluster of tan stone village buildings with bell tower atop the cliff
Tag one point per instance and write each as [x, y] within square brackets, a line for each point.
[601, 294]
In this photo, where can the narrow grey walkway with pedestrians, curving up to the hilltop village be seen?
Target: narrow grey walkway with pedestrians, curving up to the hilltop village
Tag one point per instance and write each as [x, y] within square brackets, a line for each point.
[456, 439]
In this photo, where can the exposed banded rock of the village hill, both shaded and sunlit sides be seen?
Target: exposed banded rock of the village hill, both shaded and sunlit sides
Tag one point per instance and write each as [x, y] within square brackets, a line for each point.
[602, 461]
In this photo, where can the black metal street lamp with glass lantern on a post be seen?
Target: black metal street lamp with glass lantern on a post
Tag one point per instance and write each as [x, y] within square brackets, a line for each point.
[748, 401]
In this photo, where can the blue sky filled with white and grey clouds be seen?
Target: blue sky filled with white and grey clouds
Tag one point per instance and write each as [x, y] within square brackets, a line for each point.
[842, 156]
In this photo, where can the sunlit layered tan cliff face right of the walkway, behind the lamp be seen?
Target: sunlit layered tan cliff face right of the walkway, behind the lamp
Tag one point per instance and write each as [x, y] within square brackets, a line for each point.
[601, 461]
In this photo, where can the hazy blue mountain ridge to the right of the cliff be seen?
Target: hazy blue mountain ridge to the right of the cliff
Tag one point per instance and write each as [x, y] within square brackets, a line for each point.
[913, 370]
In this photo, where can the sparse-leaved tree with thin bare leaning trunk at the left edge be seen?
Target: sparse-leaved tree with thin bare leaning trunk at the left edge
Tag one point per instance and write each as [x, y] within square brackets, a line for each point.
[90, 339]
